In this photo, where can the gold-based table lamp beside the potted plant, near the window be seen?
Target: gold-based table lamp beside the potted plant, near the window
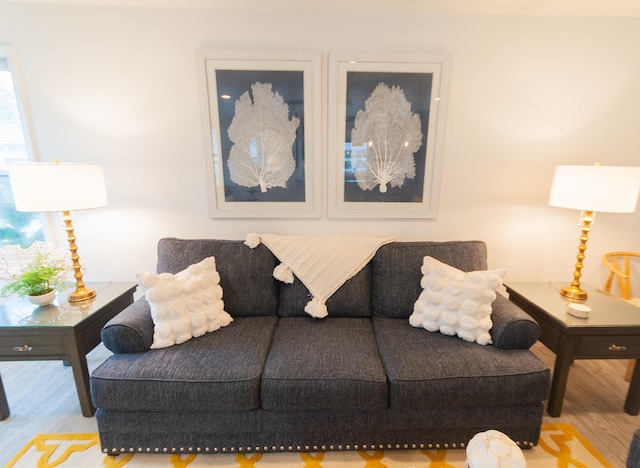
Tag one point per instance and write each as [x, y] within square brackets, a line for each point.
[46, 187]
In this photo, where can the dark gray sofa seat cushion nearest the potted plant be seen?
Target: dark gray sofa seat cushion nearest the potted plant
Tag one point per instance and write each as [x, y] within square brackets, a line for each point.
[216, 371]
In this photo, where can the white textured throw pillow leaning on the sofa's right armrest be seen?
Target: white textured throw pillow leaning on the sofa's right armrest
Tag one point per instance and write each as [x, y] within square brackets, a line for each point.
[456, 303]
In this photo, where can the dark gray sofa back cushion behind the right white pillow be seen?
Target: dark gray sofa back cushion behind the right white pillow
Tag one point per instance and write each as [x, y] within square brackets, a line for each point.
[396, 271]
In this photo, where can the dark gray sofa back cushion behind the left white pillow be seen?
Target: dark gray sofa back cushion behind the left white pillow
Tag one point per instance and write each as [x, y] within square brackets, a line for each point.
[246, 275]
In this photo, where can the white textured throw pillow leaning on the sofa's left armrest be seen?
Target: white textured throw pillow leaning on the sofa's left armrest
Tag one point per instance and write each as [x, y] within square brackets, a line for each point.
[184, 305]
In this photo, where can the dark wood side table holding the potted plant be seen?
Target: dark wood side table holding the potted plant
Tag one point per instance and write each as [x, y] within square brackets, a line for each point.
[60, 331]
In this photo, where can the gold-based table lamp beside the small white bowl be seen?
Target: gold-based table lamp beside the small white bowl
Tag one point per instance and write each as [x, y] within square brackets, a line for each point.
[612, 189]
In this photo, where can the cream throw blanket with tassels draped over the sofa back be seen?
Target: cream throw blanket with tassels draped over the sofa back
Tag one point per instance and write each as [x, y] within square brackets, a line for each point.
[322, 263]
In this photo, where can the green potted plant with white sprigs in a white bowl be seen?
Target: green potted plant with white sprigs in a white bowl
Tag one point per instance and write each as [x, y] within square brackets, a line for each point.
[36, 272]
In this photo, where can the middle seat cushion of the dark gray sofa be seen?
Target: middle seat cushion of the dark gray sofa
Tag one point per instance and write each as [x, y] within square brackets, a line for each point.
[324, 365]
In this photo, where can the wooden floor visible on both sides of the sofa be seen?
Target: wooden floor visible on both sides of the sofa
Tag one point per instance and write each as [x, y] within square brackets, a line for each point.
[42, 399]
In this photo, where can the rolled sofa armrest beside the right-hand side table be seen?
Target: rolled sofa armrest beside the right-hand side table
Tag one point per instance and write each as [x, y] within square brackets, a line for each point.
[512, 328]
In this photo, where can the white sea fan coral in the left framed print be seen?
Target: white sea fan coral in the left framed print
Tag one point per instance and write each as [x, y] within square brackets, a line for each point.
[263, 137]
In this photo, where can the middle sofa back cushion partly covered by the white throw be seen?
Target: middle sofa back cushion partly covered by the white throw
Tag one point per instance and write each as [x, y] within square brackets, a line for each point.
[352, 299]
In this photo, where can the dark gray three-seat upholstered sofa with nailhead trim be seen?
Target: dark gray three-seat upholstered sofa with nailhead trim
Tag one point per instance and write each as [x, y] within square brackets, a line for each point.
[276, 379]
